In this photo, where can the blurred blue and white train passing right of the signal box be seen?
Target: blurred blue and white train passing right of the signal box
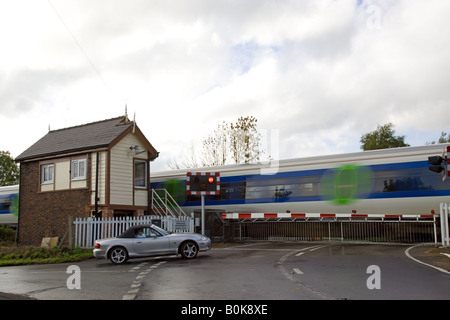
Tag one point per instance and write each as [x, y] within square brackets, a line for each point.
[393, 182]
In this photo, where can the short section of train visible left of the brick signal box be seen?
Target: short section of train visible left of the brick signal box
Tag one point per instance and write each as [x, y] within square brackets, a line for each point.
[9, 205]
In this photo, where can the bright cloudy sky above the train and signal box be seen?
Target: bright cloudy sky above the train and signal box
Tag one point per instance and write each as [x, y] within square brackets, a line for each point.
[316, 74]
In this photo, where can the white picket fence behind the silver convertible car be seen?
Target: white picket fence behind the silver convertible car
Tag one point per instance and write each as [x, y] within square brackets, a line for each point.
[87, 230]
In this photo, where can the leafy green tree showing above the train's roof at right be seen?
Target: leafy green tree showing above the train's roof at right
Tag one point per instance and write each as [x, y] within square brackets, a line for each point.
[382, 138]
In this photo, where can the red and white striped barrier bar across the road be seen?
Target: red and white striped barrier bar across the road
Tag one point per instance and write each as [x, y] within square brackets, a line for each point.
[322, 215]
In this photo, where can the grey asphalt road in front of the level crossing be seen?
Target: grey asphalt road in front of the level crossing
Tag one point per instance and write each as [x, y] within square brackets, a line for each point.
[252, 271]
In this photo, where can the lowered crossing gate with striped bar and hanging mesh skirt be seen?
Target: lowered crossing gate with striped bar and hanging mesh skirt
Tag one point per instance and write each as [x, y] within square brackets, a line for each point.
[333, 227]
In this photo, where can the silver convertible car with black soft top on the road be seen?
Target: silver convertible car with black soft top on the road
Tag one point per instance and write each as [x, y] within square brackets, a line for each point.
[150, 240]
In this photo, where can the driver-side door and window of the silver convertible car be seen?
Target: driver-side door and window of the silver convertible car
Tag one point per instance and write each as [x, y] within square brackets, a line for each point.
[149, 242]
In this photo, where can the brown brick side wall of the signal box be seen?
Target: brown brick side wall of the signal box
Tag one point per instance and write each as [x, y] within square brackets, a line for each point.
[45, 214]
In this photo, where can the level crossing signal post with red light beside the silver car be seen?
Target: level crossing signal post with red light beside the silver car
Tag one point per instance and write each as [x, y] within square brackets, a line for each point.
[203, 183]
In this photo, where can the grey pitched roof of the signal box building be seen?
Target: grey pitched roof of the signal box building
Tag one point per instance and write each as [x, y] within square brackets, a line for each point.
[89, 136]
